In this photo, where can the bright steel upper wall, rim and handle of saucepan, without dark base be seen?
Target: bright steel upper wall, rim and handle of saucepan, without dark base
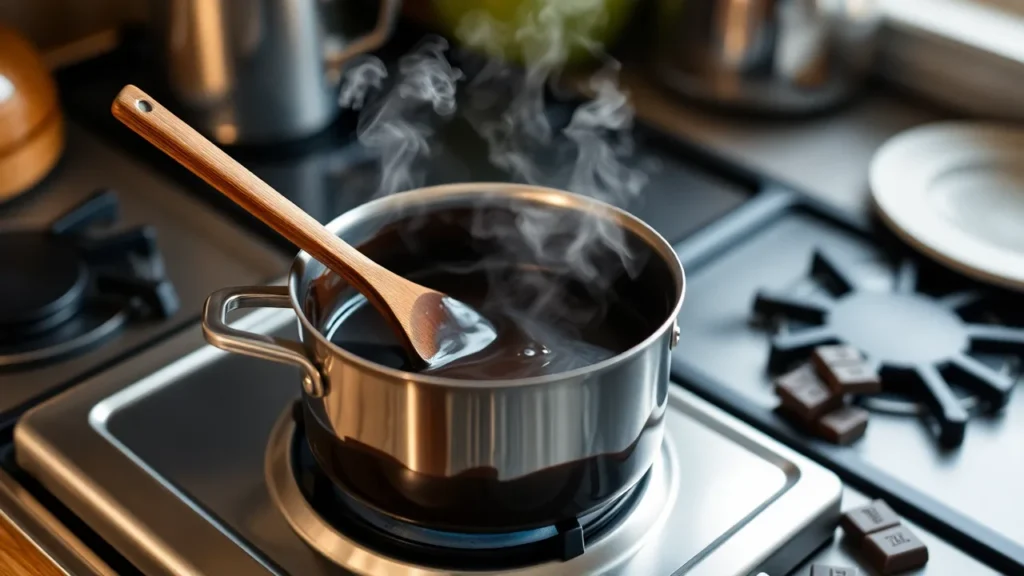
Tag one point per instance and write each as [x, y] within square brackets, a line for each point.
[515, 427]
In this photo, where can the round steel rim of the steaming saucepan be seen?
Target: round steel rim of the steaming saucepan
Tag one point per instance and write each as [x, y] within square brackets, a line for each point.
[530, 193]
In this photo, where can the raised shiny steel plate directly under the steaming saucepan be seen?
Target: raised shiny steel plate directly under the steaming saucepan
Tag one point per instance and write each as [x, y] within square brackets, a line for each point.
[191, 498]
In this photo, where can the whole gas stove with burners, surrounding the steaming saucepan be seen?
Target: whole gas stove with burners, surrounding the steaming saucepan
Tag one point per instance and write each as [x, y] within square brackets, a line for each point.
[169, 457]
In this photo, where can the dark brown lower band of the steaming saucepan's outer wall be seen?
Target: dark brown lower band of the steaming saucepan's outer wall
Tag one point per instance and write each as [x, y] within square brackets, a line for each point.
[477, 501]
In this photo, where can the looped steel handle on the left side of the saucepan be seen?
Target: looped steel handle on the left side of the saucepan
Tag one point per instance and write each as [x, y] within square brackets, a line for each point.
[226, 338]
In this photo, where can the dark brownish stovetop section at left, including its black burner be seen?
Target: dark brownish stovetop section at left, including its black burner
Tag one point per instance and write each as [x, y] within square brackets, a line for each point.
[101, 261]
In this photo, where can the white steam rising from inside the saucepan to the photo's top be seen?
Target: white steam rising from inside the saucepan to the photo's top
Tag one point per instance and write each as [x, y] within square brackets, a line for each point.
[506, 108]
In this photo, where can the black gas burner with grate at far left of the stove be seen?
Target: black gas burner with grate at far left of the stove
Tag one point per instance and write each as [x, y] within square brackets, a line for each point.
[66, 291]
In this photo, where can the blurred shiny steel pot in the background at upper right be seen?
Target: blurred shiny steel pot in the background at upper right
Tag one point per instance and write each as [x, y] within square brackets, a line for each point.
[765, 56]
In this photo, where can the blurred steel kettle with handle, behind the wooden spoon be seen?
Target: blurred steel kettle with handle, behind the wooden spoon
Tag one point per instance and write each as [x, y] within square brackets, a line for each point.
[262, 71]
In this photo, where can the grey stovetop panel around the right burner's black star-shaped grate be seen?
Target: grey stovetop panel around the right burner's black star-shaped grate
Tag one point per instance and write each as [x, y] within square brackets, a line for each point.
[724, 353]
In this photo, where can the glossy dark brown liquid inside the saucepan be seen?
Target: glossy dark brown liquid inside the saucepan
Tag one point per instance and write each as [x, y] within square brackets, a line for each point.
[546, 324]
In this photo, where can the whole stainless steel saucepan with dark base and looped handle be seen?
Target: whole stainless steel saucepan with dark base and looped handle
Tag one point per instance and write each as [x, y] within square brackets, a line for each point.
[493, 456]
